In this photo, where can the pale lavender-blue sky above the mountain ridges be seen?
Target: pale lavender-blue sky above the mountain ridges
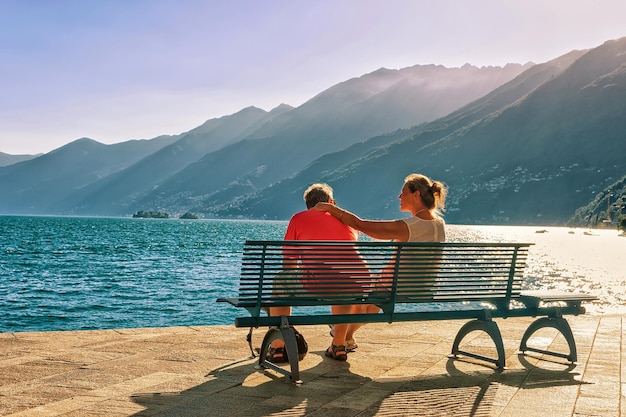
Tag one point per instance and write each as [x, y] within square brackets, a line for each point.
[117, 70]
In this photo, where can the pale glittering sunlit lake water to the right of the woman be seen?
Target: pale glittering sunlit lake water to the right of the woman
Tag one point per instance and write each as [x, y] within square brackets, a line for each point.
[565, 259]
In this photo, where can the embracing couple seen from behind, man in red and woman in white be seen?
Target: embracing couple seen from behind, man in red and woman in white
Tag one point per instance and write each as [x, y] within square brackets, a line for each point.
[323, 220]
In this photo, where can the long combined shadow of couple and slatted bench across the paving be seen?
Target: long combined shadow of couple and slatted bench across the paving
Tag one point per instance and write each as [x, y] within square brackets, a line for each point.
[332, 388]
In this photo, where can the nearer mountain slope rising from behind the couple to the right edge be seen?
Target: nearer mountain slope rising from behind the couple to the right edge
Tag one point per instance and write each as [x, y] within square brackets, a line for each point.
[531, 152]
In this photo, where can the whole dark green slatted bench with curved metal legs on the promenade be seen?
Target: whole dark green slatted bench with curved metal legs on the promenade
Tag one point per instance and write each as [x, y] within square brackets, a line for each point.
[409, 281]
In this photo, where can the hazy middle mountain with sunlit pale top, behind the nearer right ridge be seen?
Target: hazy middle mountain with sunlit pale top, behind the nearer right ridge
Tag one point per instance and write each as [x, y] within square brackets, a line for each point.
[347, 113]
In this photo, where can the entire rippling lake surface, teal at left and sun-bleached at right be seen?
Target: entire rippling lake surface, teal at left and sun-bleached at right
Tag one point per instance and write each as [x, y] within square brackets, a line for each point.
[71, 273]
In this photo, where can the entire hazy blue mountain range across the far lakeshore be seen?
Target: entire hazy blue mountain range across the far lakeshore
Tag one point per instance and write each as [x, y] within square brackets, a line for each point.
[532, 144]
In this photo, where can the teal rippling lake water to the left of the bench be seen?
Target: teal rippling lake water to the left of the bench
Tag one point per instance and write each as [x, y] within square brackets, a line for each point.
[67, 273]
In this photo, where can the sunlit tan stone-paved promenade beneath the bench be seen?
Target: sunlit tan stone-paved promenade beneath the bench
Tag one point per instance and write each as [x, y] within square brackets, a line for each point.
[398, 370]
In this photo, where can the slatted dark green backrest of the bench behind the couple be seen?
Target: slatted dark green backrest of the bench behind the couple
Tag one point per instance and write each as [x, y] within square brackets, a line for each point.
[339, 272]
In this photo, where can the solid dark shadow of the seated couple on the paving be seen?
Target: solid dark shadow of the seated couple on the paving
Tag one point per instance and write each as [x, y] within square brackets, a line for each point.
[238, 388]
